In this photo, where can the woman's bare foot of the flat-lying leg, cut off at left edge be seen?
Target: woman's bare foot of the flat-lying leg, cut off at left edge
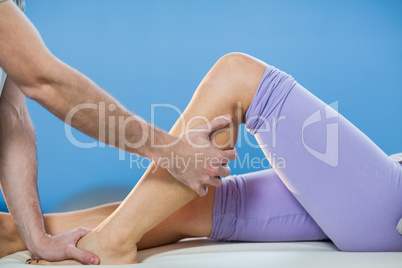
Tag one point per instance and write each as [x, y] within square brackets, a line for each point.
[11, 240]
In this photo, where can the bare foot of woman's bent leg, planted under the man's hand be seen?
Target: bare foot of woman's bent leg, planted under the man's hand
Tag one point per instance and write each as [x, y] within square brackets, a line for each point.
[108, 248]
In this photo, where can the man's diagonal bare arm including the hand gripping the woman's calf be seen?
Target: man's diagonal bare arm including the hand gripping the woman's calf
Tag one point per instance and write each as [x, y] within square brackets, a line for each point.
[61, 89]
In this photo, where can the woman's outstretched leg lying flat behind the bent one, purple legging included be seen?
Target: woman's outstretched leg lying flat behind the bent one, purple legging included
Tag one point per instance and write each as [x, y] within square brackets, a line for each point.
[252, 207]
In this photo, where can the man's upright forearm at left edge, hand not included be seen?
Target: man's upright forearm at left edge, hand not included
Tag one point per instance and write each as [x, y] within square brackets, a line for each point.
[18, 166]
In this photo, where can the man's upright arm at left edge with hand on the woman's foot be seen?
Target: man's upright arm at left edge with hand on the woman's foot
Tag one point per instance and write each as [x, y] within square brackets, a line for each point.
[18, 180]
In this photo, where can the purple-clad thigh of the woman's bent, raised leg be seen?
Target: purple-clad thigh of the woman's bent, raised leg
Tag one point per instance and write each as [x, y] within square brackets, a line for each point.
[351, 188]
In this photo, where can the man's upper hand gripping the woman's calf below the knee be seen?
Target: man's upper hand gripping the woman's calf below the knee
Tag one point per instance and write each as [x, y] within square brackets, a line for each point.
[197, 163]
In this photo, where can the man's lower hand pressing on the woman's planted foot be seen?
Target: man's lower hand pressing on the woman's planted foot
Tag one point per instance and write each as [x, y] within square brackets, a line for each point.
[63, 247]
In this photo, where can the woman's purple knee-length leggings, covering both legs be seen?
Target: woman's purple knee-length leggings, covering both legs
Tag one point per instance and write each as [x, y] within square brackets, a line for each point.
[329, 180]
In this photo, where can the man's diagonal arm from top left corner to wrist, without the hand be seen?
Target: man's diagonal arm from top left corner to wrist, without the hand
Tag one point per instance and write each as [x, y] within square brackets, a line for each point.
[63, 90]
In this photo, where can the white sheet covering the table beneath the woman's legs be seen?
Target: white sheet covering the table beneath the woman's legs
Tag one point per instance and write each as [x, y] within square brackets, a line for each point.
[208, 253]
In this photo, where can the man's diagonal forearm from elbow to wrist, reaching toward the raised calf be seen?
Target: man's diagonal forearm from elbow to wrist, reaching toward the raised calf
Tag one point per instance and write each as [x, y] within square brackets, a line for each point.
[78, 101]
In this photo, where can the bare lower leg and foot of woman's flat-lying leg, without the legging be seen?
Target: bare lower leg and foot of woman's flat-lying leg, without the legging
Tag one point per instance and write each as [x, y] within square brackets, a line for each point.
[192, 220]
